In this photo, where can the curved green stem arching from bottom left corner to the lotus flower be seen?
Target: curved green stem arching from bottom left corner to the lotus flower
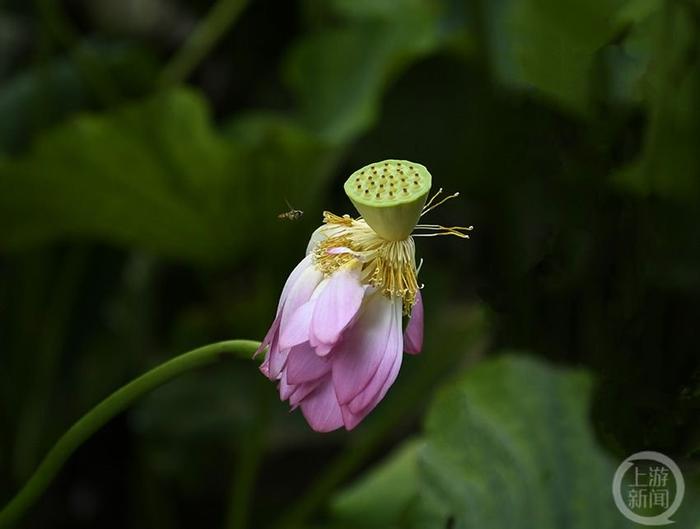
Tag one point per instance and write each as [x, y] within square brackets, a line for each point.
[117, 402]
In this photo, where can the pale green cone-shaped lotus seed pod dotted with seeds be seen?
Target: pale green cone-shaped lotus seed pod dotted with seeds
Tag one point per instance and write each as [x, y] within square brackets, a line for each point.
[390, 196]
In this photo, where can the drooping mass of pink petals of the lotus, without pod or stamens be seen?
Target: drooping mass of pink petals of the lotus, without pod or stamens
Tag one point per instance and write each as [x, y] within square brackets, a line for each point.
[335, 345]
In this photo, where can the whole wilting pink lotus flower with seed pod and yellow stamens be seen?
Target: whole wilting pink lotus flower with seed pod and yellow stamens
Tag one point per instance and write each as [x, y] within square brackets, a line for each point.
[337, 341]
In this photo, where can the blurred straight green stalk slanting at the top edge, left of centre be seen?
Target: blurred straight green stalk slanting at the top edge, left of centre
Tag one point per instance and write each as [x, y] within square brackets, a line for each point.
[202, 39]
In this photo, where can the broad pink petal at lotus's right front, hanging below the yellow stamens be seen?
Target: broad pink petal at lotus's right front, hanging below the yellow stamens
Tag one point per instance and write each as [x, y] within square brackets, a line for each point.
[358, 355]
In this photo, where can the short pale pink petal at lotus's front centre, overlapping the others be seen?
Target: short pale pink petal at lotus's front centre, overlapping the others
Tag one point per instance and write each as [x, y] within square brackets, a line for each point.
[337, 305]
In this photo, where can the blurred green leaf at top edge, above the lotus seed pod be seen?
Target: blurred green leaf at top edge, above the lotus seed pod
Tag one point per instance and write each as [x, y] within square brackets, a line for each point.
[339, 74]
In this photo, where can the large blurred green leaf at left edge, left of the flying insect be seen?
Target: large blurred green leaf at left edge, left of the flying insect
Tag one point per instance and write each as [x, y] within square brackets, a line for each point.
[145, 175]
